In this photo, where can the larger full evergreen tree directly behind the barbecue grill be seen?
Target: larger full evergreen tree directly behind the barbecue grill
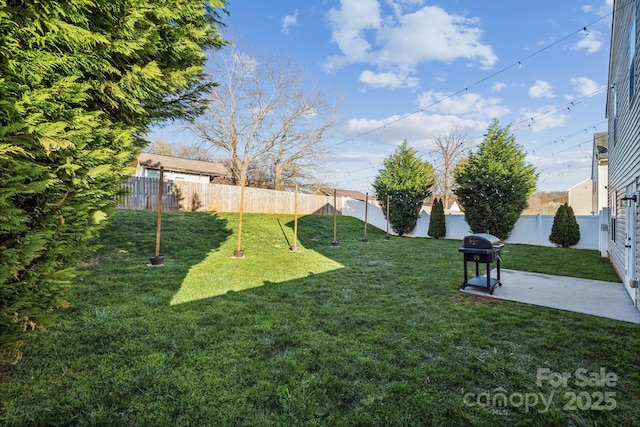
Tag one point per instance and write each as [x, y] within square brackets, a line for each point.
[494, 183]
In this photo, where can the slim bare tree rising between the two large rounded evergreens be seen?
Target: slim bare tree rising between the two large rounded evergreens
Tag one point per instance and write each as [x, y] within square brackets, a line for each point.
[451, 146]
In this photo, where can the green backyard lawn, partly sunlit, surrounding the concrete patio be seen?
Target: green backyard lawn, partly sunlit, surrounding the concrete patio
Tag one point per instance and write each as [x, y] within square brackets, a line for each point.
[361, 334]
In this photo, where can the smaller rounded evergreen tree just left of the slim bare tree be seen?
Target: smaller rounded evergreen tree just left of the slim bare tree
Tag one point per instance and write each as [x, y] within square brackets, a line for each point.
[407, 180]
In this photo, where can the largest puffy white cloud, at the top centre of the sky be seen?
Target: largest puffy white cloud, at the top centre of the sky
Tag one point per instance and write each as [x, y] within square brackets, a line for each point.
[402, 40]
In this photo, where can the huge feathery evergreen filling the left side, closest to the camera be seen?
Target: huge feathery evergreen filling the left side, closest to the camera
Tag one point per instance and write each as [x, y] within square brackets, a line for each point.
[81, 82]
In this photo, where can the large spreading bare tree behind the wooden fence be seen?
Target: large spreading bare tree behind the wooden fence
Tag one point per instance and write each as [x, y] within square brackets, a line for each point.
[261, 116]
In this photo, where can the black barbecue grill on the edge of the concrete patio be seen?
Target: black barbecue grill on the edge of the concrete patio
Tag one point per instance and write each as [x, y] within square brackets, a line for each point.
[482, 248]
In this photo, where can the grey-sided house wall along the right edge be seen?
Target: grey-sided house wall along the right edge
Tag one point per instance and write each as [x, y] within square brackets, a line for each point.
[623, 113]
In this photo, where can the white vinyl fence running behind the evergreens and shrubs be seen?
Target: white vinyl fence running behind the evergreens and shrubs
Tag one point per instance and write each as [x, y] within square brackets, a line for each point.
[530, 229]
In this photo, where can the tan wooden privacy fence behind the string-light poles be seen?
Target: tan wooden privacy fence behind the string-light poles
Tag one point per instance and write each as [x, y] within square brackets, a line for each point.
[195, 196]
